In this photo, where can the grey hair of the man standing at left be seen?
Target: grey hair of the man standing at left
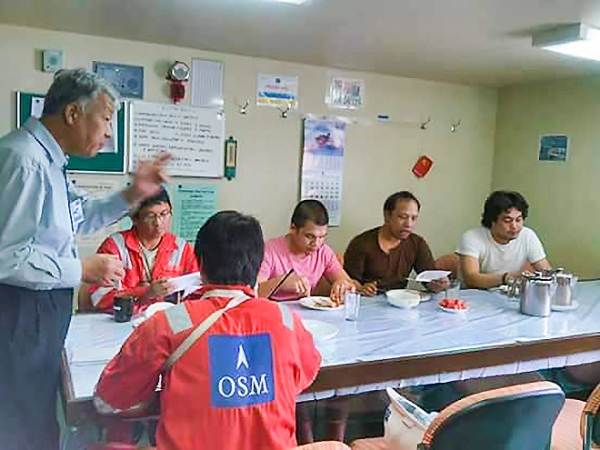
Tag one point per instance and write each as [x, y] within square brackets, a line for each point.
[77, 86]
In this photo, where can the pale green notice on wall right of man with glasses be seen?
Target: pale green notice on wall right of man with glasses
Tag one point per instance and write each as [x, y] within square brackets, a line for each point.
[193, 204]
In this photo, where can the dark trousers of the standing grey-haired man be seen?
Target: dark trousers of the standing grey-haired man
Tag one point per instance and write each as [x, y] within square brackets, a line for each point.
[33, 327]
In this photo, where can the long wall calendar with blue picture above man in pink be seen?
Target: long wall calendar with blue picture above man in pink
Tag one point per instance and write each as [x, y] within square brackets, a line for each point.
[323, 165]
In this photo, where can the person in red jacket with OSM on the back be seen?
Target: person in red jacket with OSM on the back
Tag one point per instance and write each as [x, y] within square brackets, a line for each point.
[232, 363]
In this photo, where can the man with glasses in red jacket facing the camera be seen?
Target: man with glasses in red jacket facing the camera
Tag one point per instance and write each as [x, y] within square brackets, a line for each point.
[150, 255]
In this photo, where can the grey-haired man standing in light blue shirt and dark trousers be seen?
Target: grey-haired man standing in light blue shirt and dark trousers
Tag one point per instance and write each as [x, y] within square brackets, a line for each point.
[39, 267]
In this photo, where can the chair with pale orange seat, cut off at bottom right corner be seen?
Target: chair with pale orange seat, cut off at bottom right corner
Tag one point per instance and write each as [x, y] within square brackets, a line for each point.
[578, 424]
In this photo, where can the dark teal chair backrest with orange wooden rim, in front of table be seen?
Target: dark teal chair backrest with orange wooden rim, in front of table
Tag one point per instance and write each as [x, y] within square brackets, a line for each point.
[511, 418]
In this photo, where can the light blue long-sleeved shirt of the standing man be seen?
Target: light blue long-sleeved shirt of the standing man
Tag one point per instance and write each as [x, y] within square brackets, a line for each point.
[37, 226]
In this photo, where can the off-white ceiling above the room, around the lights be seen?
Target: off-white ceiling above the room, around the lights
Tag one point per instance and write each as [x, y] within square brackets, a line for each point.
[476, 42]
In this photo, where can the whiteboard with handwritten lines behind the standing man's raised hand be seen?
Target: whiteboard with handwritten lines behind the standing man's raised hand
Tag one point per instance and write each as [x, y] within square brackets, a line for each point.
[194, 136]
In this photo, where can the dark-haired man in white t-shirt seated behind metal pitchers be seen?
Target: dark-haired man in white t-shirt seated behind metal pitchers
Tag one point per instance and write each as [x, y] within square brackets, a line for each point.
[492, 254]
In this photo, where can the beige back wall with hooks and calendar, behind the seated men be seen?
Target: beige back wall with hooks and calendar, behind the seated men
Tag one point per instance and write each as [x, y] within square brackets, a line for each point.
[379, 156]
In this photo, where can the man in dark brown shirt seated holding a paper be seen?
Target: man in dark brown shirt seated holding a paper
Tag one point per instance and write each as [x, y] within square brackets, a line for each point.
[383, 258]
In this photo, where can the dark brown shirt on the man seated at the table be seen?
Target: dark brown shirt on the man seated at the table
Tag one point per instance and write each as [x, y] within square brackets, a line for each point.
[365, 261]
